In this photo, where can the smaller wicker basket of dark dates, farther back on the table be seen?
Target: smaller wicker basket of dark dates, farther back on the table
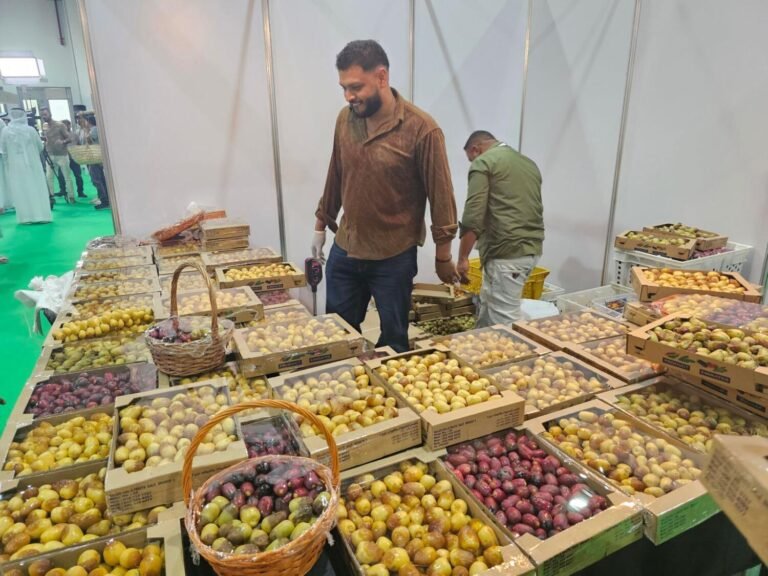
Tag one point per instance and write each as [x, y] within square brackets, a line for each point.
[188, 358]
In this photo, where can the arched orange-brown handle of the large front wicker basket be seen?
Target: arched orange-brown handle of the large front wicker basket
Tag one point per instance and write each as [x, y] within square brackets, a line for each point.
[186, 472]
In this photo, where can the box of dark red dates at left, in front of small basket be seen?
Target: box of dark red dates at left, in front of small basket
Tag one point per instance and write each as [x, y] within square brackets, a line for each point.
[43, 397]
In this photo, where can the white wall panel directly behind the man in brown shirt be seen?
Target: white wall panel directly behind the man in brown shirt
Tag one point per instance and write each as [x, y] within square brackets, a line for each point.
[307, 35]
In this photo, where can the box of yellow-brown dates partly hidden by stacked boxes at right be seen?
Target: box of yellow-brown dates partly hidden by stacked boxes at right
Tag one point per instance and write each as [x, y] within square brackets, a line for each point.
[610, 356]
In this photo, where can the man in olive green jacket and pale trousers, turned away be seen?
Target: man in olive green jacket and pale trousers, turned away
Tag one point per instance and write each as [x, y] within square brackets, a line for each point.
[504, 216]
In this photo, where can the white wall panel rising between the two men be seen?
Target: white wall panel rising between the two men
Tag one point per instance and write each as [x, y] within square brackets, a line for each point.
[469, 76]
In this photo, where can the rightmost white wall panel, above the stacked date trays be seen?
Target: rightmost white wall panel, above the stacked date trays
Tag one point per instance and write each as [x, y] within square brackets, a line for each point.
[696, 136]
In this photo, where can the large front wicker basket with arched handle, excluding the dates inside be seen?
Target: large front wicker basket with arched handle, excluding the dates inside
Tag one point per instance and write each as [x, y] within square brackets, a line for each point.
[298, 556]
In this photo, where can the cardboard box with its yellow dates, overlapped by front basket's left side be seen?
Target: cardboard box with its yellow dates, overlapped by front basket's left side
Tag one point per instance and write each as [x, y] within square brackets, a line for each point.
[153, 431]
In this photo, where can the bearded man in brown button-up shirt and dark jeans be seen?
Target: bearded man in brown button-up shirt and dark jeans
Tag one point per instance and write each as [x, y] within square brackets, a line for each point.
[388, 159]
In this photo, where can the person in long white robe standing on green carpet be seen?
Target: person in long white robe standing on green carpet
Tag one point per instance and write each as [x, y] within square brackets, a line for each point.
[21, 147]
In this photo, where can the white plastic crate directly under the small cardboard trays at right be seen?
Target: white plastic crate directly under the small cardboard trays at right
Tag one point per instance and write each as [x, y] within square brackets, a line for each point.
[732, 261]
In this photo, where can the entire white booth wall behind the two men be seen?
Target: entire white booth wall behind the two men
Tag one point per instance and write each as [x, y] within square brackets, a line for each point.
[185, 88]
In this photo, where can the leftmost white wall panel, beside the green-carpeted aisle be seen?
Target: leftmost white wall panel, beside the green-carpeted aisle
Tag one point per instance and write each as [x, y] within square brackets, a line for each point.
[182, 85]
